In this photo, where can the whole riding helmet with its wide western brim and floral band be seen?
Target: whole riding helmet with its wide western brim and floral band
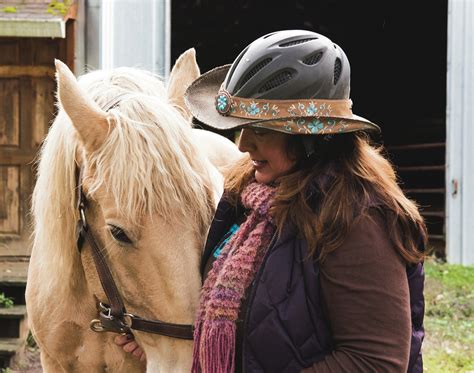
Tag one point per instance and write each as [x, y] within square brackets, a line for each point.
[293, 81]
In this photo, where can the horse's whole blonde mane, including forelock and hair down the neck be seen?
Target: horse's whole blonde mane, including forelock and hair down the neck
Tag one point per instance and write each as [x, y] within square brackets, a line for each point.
[148, 164]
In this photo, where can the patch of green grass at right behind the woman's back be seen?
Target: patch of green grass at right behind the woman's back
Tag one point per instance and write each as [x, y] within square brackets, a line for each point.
[449, 318]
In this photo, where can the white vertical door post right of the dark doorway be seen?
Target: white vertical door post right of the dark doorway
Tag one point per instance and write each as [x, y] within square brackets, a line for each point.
[460, 133]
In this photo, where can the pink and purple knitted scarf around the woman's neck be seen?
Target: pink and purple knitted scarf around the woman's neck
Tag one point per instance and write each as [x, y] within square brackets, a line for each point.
[225, 285]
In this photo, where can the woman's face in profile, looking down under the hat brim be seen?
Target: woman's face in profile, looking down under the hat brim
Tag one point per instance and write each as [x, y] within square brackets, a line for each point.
[268, 151]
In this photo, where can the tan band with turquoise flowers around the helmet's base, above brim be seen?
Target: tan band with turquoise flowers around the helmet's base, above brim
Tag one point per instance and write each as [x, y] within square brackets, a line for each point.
[280, 109]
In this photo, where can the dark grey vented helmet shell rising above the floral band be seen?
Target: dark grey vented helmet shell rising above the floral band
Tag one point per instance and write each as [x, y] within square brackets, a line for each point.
[290, 65]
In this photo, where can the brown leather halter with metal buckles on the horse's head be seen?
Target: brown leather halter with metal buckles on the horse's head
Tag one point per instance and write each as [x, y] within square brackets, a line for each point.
[113, 317]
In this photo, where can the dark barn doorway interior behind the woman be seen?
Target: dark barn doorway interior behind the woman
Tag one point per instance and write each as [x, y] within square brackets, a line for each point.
[397, 51]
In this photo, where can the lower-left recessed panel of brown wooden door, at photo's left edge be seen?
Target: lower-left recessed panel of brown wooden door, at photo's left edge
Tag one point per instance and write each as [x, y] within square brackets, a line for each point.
[9, 200]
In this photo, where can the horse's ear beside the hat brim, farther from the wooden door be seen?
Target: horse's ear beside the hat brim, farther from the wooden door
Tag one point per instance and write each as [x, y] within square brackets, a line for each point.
[184, 72]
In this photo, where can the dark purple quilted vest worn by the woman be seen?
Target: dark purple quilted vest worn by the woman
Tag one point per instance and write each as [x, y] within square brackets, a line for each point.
[284, 327]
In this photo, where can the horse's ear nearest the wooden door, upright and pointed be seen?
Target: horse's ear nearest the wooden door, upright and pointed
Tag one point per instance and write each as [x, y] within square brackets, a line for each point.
[90, 121]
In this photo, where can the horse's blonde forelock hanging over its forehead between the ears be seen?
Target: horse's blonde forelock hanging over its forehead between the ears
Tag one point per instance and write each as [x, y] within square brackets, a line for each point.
[151, 144]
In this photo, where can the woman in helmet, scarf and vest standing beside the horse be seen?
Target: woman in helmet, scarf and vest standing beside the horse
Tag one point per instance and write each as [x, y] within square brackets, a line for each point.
[314, 259]
